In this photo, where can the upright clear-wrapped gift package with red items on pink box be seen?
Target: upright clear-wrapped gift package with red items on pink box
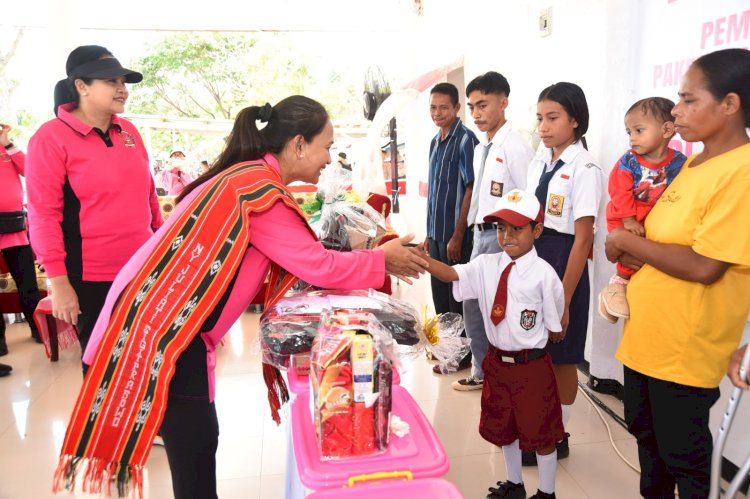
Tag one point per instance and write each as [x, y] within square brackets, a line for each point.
[351, 379]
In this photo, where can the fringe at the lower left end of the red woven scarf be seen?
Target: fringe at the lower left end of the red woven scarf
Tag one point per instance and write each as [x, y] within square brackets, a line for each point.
[98, 477]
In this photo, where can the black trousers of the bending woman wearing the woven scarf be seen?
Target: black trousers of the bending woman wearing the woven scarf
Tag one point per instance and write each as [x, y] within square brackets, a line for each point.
[190, 428]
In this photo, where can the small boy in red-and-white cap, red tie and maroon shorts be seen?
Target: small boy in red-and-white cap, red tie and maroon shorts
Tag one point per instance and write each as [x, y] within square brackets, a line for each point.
[521, 300]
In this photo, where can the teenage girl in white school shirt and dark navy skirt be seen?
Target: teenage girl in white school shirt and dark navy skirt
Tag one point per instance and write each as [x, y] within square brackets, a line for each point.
[568, 182]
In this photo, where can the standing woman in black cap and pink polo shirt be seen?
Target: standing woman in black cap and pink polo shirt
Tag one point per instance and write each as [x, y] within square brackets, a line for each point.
[92, 200]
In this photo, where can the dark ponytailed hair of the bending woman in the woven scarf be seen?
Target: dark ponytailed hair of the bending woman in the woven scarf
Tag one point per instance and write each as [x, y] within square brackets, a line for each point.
[295, 115]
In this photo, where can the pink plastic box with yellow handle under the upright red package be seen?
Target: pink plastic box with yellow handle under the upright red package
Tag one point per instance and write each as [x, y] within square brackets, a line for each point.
[420, 452]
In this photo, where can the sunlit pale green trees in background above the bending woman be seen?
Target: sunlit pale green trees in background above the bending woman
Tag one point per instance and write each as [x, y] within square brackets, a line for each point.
[215, 75]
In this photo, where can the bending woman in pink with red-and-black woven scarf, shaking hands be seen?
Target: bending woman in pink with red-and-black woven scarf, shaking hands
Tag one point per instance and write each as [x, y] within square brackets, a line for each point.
[180, 293]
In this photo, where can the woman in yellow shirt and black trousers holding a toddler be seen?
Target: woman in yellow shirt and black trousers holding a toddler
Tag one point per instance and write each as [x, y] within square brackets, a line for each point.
[691, 295]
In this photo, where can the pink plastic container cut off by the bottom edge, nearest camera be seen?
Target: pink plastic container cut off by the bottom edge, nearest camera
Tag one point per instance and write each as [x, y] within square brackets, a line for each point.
[425, 488]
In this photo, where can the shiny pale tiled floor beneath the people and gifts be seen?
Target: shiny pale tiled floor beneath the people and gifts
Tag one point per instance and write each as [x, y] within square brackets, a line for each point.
[36, 400]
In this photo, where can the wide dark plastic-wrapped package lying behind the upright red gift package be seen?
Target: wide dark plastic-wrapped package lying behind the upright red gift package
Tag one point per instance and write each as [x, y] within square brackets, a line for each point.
[289, 326]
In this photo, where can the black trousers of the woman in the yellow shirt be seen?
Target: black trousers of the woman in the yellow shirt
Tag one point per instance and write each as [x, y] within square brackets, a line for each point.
[670, 423]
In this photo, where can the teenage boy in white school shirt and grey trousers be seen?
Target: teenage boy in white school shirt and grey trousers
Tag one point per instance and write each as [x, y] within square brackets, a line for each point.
[499, 167]
